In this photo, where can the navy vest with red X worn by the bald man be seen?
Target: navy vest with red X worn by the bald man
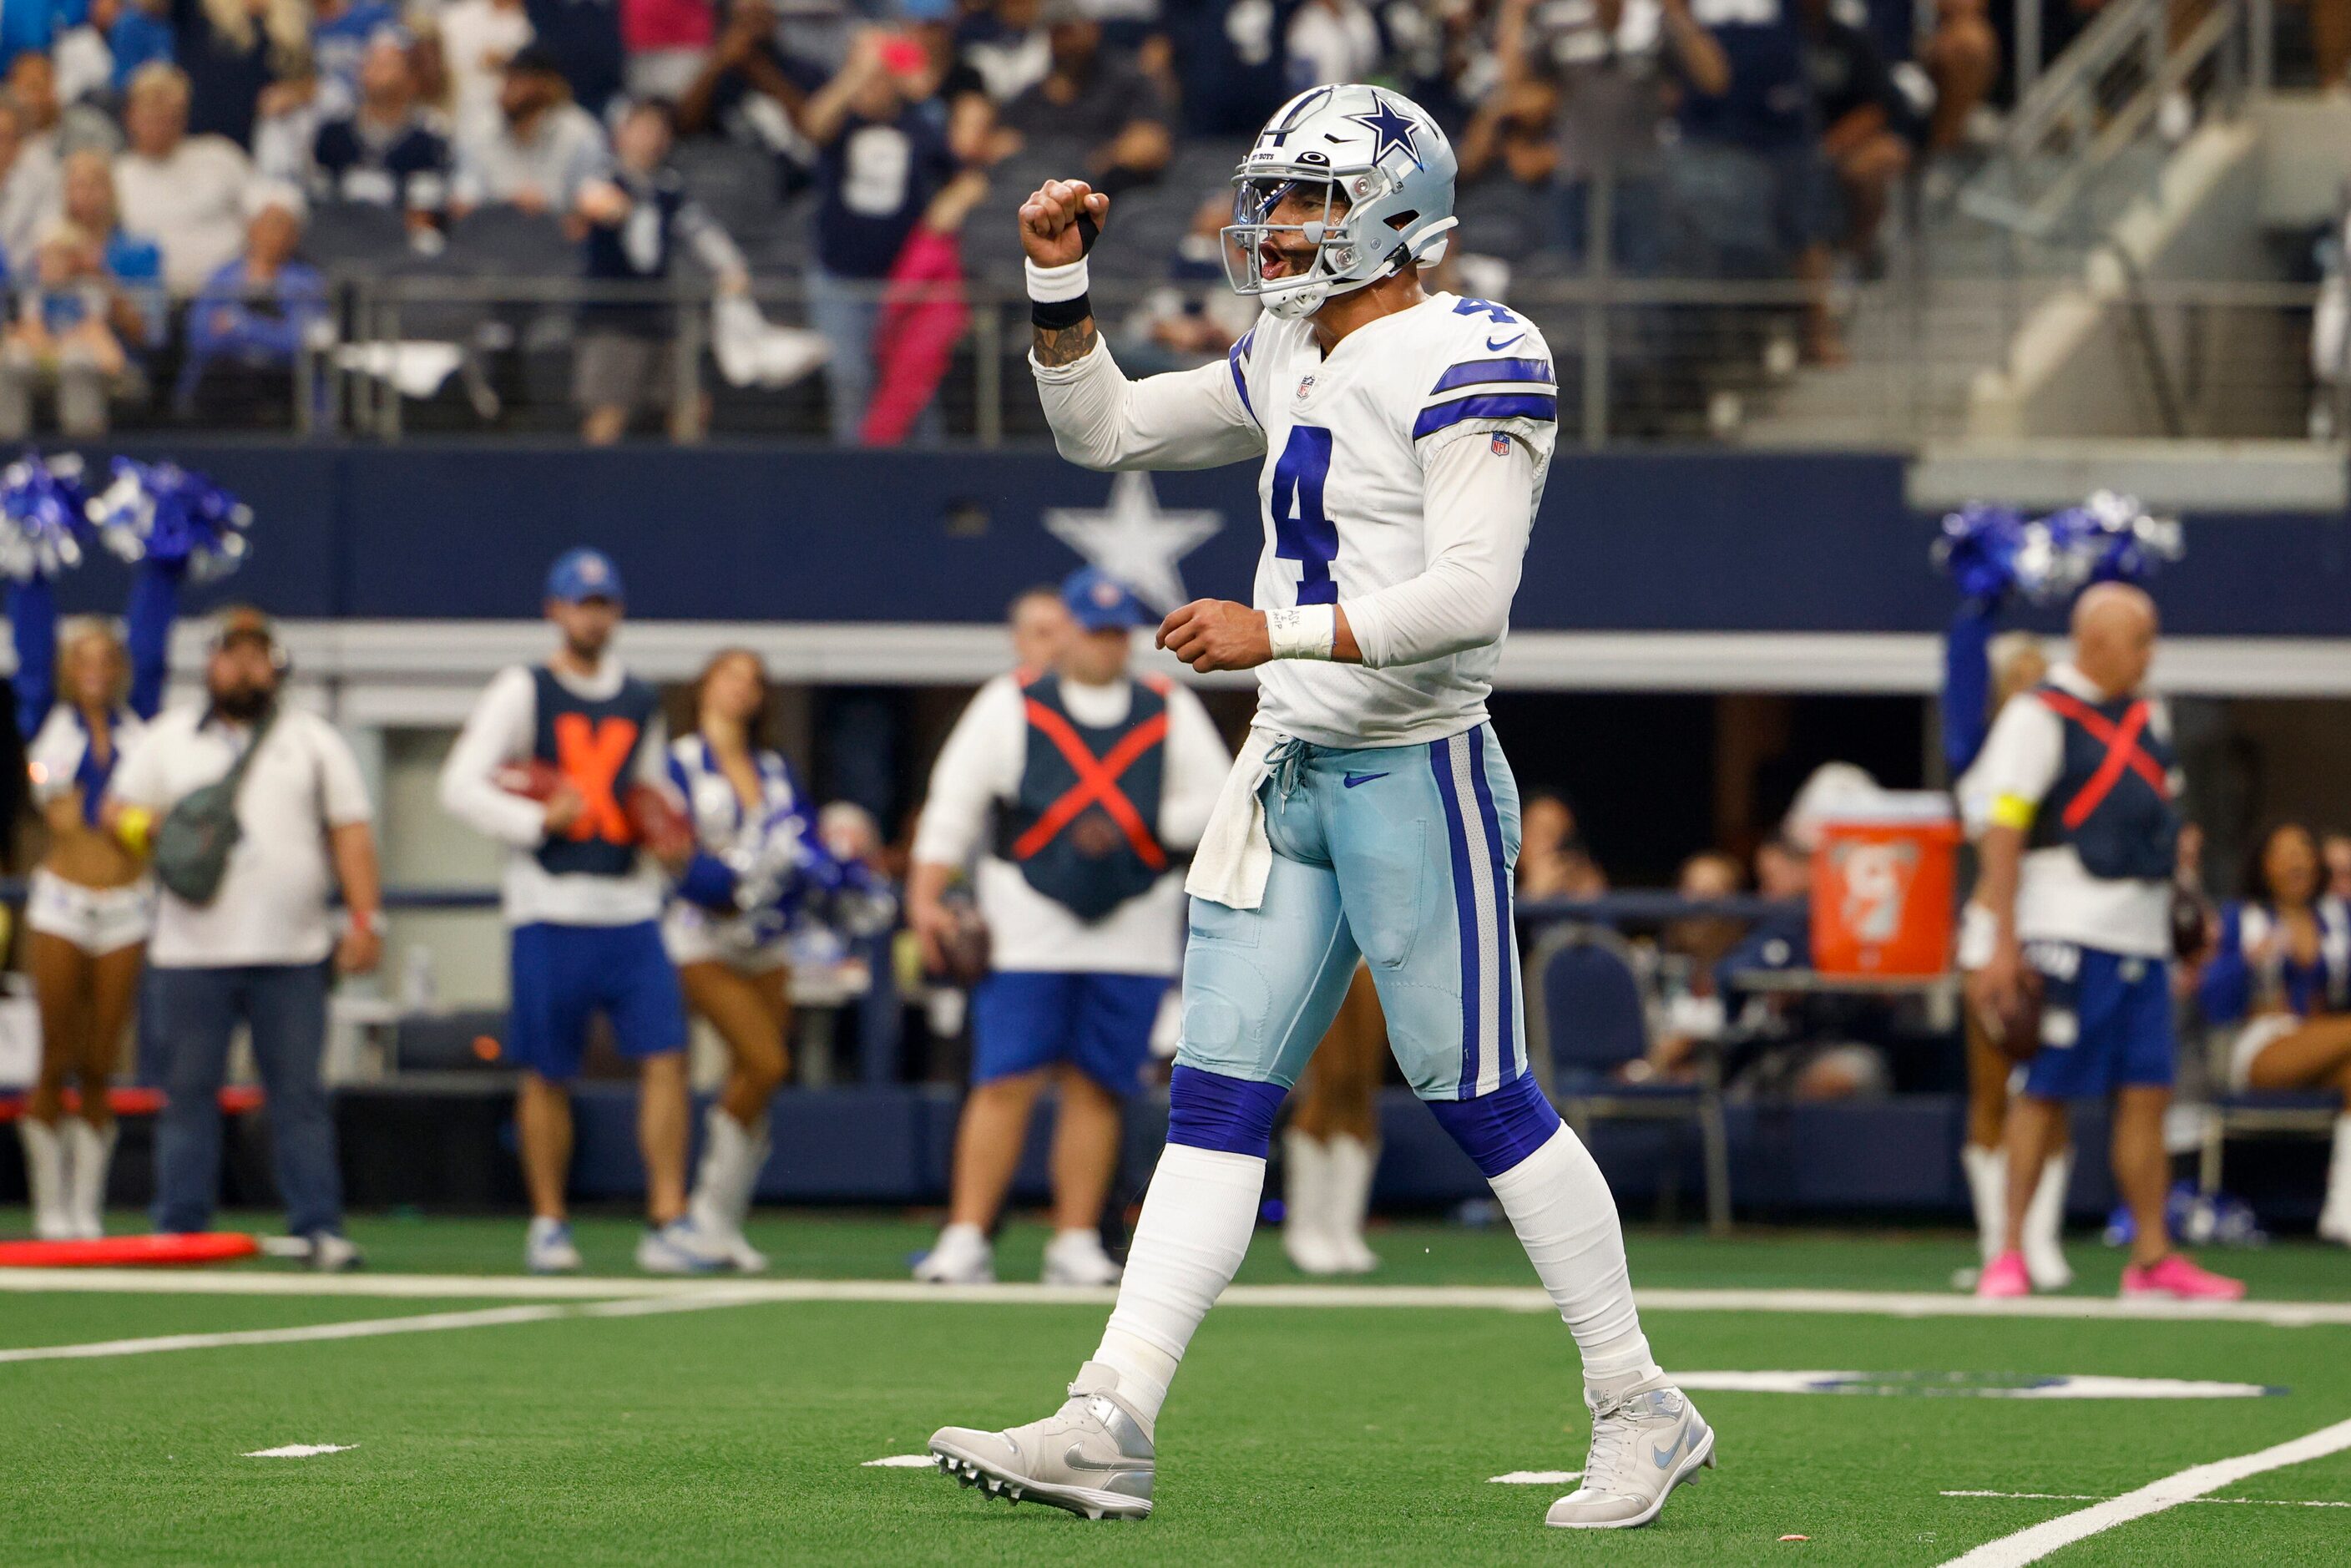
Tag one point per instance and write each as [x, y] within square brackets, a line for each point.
[2115, 796]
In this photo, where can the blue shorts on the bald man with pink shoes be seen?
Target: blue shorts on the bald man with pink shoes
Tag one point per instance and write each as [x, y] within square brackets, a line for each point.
[2105, 1024]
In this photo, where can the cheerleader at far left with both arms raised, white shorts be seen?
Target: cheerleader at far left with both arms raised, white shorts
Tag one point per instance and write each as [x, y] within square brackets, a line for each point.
[81, 702]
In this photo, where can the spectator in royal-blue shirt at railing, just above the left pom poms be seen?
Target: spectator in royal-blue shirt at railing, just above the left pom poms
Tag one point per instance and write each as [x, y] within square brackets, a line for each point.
[255, 316]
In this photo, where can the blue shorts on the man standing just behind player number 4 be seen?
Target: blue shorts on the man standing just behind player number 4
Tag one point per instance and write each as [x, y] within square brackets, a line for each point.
[1097, 1024]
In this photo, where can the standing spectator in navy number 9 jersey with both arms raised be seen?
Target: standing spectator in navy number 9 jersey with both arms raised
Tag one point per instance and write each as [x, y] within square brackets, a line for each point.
[883, 159]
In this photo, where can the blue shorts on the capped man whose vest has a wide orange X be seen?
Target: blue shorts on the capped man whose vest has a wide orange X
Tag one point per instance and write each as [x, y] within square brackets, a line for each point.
[565, 974]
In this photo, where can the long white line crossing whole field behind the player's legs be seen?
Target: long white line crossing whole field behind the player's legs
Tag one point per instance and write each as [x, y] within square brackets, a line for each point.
[1494, 1299]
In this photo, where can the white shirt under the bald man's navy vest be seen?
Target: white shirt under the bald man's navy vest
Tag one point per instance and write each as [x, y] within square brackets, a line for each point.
[2058, 899]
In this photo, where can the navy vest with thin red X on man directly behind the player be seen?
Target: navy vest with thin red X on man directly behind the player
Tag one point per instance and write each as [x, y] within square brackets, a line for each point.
[1085, 826]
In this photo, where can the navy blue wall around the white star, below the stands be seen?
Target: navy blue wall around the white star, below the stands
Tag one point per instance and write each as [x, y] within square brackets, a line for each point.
[1628, 542]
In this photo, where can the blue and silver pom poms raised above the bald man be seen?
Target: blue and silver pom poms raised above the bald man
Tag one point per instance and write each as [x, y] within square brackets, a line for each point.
[1995, 549]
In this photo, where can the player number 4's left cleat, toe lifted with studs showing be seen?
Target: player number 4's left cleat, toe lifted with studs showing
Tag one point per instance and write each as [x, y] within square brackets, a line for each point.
[1090, 1459]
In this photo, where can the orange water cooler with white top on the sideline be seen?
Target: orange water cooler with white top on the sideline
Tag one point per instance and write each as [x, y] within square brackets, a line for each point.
[1884, 885]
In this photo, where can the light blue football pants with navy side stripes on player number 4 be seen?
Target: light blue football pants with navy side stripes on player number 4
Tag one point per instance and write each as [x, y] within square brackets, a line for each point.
[1400, 857]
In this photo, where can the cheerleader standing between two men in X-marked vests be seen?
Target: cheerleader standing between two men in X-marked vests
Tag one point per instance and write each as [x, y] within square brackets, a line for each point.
[728, 930]
